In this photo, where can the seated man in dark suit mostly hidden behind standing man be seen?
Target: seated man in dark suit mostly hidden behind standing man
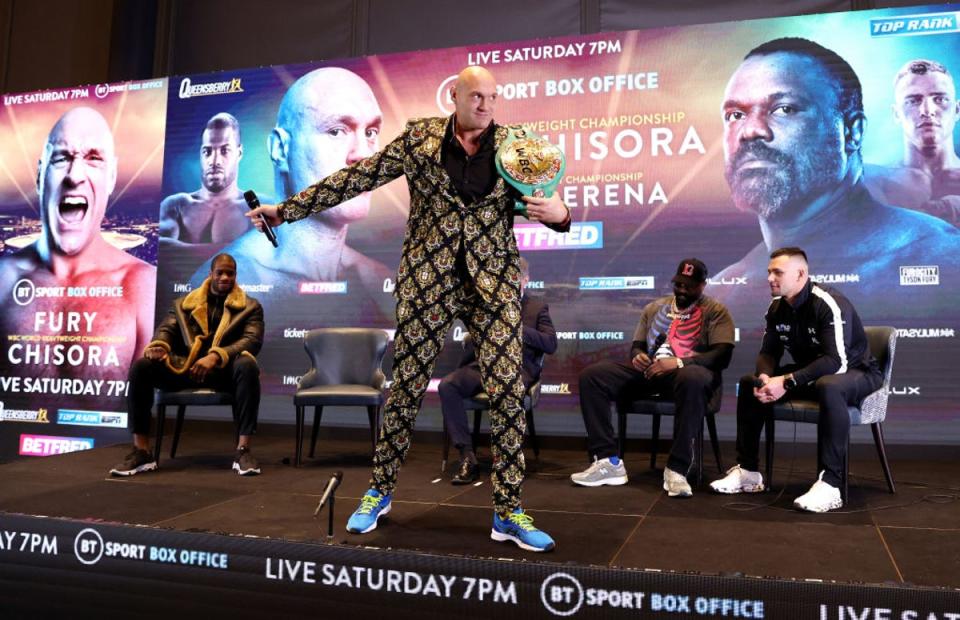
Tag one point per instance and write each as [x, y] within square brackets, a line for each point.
[539, 338]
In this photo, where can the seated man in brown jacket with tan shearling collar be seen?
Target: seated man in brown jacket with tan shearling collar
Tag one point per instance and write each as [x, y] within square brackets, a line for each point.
[209, 339]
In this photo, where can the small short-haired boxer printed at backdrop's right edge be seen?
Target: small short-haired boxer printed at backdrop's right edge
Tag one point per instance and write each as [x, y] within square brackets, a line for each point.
[926, 108]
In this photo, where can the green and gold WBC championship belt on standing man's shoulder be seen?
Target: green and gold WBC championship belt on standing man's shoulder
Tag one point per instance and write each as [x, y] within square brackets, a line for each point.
[530, 164]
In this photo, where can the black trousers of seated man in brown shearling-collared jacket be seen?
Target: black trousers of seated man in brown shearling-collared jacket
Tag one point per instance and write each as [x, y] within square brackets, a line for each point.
[241, 377]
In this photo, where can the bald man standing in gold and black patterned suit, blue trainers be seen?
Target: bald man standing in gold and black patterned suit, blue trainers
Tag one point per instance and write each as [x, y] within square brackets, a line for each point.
[459, 260]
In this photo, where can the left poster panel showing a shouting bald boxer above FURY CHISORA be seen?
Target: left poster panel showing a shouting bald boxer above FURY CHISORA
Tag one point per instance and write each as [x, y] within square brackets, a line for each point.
[80, 172]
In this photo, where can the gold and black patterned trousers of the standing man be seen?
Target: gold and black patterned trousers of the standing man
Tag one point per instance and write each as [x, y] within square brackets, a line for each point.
[496, 331]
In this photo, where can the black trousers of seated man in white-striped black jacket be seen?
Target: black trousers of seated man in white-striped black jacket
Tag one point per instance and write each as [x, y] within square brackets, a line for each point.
[834, 393]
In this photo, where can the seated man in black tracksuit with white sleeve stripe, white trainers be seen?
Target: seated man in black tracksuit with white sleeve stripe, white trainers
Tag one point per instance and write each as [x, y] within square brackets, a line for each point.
[832, 364]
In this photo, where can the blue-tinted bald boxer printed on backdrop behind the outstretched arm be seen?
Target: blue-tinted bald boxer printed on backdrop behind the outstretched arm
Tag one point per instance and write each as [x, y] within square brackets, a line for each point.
[328, 119]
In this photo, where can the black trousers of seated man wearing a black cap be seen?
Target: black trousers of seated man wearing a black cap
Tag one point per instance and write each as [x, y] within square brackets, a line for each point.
[606, 382]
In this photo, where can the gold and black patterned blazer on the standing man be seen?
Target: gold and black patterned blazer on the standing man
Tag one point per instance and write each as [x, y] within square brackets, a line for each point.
[439, 222]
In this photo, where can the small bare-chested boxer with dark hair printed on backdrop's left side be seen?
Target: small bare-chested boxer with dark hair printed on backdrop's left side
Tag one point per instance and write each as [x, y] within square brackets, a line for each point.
[203, 221]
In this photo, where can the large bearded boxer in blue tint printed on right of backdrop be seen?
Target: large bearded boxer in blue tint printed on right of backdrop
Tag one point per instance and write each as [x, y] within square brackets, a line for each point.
[793, 132]
